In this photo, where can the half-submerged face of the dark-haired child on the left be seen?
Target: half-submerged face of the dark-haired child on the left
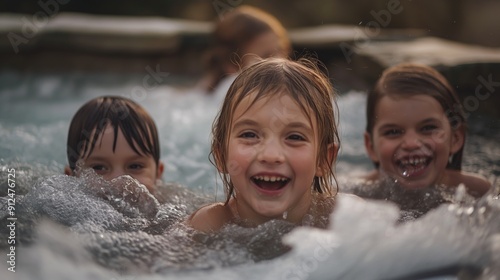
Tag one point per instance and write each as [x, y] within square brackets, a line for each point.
[123, 161]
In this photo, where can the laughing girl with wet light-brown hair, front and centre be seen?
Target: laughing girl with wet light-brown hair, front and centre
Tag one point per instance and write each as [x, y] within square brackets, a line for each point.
[274, 143]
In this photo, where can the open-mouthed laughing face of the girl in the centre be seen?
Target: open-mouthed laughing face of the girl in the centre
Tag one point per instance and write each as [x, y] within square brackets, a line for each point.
[272, 158]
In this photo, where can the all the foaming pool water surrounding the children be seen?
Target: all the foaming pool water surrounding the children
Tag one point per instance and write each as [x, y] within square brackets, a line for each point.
[87, 228]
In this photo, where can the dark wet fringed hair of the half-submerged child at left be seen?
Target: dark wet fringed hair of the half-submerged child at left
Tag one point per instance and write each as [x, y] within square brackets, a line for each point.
[91, 120]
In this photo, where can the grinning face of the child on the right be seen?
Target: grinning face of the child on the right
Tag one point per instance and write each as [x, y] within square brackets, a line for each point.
[412, 140]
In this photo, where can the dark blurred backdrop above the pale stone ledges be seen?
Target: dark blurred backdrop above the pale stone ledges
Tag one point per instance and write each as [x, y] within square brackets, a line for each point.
[470, 21]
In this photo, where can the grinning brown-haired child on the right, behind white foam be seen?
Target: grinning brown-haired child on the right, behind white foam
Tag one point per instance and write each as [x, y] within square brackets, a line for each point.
[415, 130]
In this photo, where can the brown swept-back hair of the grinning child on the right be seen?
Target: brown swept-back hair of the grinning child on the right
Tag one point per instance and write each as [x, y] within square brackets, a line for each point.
[409, 79]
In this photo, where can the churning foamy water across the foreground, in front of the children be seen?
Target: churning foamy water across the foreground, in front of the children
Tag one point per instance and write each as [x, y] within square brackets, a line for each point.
[80, 233]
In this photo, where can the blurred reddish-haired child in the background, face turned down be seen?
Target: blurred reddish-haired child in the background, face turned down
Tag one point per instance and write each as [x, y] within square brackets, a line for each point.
[244, 30]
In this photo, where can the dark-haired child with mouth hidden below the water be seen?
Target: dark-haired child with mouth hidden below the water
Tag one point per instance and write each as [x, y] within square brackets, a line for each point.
[115, 136]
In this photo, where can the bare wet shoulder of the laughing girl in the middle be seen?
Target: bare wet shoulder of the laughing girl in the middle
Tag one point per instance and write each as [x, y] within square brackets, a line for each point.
[210, 217]
